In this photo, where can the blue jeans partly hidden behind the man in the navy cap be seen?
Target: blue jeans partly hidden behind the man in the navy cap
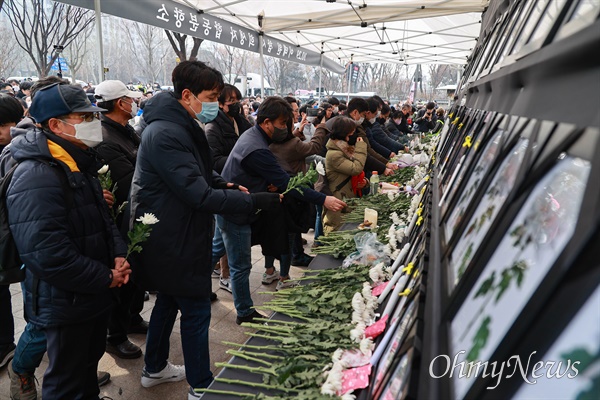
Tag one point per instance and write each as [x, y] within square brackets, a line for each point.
[30, 350]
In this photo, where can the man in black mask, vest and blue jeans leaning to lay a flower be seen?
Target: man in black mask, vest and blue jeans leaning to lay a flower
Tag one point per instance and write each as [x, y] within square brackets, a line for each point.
[253, 164]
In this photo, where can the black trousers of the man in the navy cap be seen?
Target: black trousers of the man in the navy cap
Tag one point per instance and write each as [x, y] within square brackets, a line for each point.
[73, 354]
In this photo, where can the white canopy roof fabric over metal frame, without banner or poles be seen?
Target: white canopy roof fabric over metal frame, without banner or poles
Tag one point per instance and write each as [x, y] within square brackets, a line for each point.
[392, 31]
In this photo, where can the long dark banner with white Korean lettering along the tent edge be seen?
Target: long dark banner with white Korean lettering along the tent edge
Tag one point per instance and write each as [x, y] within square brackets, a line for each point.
[180, 18]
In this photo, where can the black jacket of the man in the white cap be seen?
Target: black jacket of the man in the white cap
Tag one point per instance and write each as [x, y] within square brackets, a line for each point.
[119, 150]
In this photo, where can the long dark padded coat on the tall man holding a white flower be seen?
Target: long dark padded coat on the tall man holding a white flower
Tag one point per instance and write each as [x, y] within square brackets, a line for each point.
[174, 179]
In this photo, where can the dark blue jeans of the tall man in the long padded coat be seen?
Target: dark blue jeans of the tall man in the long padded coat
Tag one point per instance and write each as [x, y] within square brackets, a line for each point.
[194, 322]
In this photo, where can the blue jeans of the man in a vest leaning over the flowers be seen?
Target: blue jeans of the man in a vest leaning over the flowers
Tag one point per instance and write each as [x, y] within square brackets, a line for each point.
[237, 242]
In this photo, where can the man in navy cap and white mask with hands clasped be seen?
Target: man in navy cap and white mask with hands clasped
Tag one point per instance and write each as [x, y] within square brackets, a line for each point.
[72, 250]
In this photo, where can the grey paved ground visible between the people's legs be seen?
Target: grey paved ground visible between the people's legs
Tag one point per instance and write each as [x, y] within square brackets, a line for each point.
[125, 374]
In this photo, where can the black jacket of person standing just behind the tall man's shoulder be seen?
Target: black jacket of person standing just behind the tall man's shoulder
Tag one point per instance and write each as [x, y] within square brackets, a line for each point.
[222, 137]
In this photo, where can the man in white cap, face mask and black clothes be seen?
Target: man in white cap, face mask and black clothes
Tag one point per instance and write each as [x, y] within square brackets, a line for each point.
[119, 150]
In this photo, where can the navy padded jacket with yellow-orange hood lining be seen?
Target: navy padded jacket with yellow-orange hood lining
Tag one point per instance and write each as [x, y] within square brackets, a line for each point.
[69, 246]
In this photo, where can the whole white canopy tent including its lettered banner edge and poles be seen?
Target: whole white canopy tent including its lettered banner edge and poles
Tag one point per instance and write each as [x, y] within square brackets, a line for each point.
[332, 34]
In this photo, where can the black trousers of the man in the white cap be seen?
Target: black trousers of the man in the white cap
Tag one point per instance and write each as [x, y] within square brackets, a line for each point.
[128, 302]
